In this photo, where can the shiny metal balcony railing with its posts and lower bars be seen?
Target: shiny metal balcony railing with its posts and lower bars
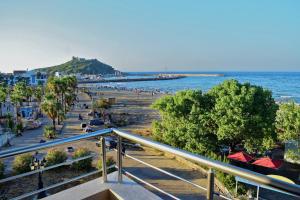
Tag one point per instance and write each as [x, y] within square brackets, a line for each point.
[212, 165]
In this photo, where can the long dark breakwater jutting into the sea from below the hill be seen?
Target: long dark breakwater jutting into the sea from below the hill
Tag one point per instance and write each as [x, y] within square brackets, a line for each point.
[131, 79]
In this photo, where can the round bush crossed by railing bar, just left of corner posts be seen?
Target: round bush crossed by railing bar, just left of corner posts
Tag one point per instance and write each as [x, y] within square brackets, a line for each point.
[85, 164]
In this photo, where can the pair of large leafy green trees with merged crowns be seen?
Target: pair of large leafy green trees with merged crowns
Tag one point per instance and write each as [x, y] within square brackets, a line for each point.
[230, 113]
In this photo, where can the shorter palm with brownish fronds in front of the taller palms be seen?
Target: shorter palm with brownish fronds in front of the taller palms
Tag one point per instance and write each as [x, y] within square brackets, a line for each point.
[51, 107]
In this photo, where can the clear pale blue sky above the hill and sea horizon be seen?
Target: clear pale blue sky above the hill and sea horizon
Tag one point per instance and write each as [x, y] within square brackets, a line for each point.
[152, 35]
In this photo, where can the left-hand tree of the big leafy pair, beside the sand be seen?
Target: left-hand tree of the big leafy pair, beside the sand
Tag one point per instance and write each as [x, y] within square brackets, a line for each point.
[185, 121]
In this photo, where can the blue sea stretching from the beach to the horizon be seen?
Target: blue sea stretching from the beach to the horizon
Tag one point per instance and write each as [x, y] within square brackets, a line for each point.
[284, 85]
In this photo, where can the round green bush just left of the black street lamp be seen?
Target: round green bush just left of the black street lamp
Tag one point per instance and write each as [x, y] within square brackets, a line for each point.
[22, 163]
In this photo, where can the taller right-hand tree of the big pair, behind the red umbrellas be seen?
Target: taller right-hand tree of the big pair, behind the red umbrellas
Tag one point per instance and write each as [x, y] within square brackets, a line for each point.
[244, 113]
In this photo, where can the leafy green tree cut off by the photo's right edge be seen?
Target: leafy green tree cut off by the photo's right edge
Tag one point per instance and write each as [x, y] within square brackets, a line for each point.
[288, 122]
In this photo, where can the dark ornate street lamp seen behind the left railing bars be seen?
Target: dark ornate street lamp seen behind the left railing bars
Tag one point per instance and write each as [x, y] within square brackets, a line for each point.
[37, 164]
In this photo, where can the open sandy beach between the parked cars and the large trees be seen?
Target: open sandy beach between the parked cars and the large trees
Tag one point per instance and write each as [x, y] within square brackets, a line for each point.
[131, 106]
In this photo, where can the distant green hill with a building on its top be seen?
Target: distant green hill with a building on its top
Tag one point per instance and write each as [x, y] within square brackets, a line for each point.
[80, 65]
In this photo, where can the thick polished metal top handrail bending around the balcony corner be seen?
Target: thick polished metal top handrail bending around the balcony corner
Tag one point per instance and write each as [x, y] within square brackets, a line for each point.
[227, 168]
